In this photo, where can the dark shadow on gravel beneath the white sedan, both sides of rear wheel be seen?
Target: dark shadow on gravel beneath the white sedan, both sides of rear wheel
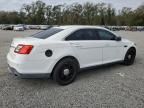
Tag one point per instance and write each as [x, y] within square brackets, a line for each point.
[83, 74]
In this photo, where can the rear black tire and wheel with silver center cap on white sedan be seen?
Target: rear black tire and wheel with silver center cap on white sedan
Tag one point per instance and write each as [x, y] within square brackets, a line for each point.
[66, 71]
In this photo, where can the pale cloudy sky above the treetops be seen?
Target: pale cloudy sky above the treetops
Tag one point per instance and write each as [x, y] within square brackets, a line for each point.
[10, 5]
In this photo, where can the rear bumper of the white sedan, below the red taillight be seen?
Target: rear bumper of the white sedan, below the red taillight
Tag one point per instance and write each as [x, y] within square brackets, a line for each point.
[22, 67]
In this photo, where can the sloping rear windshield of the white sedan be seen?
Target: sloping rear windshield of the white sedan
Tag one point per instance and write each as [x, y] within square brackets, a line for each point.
[47, 33]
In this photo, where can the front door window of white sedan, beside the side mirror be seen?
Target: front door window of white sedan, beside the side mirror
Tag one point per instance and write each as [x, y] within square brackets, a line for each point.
[106, 35]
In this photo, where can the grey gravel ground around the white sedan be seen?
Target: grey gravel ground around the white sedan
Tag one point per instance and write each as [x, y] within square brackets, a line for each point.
[112, 86]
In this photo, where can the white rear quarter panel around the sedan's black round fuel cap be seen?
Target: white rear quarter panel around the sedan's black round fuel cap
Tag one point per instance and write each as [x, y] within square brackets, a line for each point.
[60, 49]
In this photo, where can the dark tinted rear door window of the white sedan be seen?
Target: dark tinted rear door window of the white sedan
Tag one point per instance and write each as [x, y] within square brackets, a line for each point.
[84, 34]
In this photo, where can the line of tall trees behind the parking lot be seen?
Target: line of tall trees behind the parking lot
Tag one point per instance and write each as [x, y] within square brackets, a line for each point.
[84, 14]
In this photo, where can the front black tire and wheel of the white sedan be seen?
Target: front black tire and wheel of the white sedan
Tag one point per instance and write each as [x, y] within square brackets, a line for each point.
[130, 57]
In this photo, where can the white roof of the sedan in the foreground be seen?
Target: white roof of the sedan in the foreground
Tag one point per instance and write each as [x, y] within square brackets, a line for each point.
[79, 27]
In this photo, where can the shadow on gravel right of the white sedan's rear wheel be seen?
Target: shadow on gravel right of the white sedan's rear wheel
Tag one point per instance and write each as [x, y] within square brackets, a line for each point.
[105, 69]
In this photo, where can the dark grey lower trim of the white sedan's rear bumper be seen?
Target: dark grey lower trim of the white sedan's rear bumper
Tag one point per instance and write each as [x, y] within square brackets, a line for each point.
[16, 73]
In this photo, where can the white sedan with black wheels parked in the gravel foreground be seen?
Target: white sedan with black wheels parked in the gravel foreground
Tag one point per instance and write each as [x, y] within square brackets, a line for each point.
[60, 52]
